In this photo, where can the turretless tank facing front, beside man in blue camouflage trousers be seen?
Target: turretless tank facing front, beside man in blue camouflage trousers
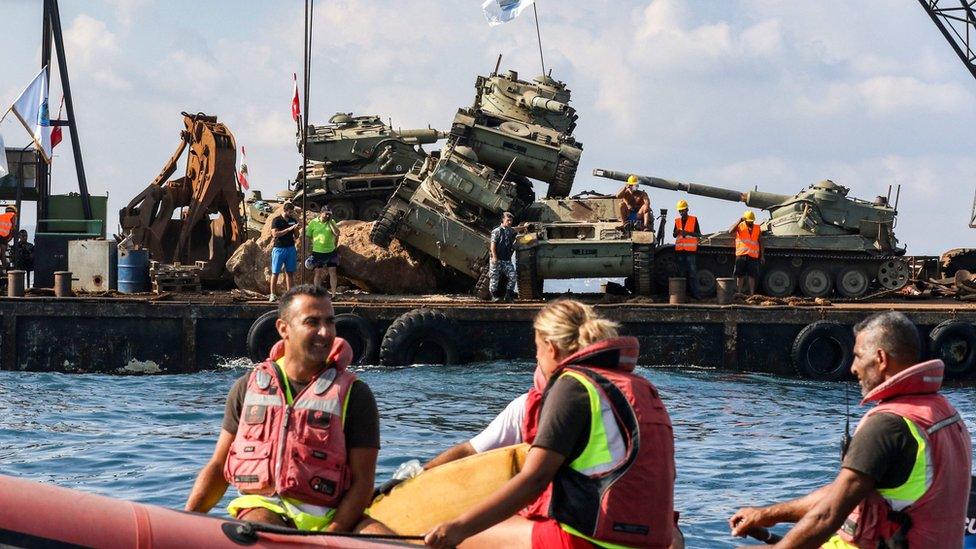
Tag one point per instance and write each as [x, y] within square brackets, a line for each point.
[581, 238]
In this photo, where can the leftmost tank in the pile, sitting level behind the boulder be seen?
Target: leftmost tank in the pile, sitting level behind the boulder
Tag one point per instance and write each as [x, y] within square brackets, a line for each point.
[356, 162]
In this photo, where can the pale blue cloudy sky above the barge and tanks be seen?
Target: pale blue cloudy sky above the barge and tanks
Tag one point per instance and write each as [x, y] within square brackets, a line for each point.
[737, 93]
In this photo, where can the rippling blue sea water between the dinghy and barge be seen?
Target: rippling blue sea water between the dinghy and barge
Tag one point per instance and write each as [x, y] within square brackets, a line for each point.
[740, 438]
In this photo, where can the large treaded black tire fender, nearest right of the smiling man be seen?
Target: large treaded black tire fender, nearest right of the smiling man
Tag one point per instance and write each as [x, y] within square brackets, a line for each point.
[422, 334]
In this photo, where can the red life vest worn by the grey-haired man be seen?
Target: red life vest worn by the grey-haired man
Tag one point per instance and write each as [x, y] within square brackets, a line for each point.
[934, 519]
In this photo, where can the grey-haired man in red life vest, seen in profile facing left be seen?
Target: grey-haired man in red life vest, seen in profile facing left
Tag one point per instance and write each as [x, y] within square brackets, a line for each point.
[904, 479]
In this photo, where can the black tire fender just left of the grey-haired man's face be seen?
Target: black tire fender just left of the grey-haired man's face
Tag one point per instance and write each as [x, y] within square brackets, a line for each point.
[811, 339]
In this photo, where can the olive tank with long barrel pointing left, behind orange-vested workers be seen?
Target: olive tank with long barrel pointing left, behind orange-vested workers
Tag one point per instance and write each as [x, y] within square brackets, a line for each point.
[815, 242]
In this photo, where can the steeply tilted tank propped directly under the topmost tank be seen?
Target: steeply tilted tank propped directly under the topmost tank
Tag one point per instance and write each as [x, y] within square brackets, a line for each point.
[447, 206]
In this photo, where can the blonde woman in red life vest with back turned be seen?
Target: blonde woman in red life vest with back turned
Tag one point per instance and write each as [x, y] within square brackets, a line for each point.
[600, 471]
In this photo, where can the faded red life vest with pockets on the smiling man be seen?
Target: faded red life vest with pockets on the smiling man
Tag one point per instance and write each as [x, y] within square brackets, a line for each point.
[296, 450]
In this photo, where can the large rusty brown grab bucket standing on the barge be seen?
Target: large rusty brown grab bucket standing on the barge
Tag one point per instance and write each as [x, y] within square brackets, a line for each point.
[209, 226]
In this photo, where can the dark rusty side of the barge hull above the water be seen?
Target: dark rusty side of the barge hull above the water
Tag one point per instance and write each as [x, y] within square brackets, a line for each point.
[105, 335]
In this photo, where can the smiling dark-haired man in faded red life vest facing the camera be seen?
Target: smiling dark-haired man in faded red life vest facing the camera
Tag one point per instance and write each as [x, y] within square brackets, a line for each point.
[300, 433]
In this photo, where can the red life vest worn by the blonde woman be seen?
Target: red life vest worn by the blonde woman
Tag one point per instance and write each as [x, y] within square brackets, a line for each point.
[632, 501]
